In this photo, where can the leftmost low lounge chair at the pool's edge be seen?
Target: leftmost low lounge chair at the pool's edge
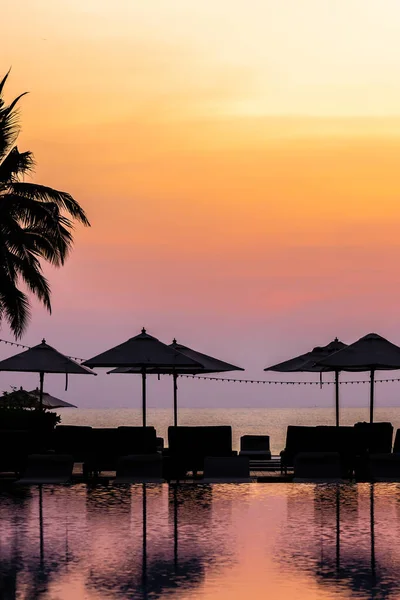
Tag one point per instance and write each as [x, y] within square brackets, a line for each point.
[47, 468]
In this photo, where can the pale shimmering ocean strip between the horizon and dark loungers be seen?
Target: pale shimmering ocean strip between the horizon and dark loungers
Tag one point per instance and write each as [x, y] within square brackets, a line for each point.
[261, 421]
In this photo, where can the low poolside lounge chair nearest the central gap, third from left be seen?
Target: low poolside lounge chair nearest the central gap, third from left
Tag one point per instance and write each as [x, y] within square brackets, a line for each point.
[226, 469]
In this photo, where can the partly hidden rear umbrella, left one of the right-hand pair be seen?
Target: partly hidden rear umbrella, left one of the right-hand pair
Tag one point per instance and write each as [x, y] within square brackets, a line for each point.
[308, 362]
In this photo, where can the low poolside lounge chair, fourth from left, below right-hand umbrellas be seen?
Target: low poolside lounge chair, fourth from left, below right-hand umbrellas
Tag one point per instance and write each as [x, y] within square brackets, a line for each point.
[318, 467]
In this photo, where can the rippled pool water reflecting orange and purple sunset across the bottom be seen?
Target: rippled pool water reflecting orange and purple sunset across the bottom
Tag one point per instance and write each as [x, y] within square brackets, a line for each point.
[197, 541]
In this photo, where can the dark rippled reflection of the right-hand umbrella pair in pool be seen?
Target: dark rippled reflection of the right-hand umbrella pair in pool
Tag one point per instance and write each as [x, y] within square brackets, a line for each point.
[341, 538]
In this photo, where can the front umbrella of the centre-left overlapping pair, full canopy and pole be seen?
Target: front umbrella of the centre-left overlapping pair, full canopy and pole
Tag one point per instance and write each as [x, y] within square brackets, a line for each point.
[145, 354]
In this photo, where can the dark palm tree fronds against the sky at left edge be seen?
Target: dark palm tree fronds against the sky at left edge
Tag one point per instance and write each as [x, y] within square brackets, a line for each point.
[36, 223]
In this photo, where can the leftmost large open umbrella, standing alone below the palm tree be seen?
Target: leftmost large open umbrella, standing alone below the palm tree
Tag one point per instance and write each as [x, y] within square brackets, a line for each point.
[43, 359]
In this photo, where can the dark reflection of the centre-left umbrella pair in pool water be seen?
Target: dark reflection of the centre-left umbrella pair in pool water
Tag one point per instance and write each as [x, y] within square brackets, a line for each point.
[151, 568]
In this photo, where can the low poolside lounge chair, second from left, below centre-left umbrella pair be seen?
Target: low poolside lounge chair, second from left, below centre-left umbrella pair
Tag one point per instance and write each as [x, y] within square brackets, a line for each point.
[140, 468]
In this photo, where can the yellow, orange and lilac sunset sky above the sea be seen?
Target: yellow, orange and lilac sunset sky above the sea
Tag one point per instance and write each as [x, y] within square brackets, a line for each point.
[239, 163]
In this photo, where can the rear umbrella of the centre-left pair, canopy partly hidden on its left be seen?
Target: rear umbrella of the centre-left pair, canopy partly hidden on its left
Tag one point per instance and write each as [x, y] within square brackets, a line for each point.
[205, 364]
